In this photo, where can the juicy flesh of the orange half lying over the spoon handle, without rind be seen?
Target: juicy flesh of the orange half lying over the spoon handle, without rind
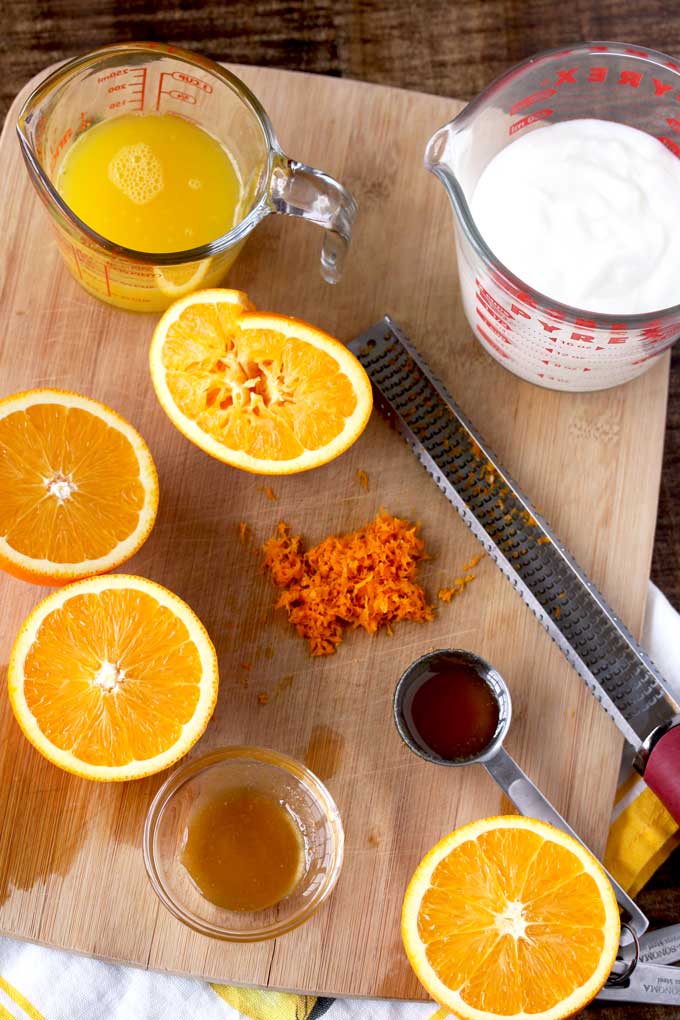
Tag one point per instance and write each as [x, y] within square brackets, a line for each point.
[551, 910]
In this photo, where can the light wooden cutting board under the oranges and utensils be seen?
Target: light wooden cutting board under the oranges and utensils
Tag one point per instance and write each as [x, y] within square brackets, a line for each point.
[71, 863]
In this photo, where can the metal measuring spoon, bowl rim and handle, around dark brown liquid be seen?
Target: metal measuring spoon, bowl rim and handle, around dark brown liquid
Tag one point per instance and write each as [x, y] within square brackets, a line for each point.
[500, 766]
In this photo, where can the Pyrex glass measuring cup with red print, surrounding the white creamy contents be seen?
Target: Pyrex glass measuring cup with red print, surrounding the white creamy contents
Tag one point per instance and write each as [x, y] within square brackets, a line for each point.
[536, 338]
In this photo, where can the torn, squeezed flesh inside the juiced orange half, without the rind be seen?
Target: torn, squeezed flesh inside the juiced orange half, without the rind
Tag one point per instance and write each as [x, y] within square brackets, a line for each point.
[254, 391]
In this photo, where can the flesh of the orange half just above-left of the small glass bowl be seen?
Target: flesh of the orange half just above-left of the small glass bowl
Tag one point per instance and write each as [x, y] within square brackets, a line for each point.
[113, 678]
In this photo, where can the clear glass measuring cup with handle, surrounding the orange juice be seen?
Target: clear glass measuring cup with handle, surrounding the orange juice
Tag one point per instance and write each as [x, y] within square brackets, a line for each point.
[150, 78]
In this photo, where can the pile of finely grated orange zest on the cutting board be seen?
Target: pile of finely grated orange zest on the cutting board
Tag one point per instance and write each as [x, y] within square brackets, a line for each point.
[365, 579]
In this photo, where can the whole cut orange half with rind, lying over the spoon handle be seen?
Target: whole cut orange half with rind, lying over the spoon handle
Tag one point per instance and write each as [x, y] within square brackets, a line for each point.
[510, 917]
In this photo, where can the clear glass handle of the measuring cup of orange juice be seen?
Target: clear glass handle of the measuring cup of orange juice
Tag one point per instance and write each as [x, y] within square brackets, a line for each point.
[298, 190]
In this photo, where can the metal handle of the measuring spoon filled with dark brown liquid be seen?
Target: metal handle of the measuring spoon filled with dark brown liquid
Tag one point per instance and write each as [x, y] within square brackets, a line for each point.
[530, 801]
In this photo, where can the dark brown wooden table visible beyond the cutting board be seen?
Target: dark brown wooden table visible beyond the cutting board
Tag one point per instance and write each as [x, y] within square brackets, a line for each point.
[449, 47]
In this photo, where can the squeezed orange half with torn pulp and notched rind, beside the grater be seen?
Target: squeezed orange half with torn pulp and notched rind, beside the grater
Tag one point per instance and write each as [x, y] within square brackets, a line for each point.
[258, 391]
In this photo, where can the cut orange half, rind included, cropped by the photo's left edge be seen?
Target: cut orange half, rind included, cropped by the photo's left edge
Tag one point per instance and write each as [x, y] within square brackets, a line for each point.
[79, 491]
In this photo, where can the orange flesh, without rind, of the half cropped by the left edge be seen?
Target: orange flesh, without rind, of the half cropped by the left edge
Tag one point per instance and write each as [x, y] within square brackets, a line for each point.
[71, 484]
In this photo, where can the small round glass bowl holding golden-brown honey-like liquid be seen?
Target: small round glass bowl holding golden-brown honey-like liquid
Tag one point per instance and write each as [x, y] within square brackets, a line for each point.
[243, 844]
